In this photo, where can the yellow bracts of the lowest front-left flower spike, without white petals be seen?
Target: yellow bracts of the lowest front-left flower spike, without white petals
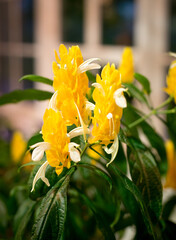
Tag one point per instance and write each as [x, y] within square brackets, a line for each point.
[54, 132]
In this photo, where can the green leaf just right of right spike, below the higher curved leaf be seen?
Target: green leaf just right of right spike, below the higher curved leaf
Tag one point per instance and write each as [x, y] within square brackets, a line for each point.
[136, 93]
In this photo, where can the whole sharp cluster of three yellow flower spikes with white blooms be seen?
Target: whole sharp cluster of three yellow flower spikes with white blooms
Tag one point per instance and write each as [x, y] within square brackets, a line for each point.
[69, 106]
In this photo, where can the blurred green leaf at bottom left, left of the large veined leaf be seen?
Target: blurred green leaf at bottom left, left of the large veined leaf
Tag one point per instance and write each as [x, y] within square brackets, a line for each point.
[23, 217]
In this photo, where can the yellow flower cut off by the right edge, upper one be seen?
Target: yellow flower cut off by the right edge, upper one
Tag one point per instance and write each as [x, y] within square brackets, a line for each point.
[171, 80]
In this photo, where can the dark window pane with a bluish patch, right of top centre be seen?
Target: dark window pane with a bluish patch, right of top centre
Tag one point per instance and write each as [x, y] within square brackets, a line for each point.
[118, 18]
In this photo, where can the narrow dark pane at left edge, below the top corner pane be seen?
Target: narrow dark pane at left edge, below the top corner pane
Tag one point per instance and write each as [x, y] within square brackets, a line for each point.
[4, 74]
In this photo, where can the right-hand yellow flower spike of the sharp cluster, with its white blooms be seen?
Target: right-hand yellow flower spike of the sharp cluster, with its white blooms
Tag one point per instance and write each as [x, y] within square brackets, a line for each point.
[109, 102]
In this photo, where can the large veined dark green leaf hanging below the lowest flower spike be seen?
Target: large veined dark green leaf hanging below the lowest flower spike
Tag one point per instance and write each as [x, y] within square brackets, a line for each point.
[52, 215]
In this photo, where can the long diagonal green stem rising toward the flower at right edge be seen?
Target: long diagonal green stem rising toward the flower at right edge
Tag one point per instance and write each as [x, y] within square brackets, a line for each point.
[154, 111]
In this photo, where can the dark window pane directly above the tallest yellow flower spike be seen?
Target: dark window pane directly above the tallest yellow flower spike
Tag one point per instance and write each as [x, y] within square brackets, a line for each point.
[73, 20]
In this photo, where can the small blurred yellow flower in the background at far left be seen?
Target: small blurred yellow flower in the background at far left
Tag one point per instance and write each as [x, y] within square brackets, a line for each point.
[18, 146]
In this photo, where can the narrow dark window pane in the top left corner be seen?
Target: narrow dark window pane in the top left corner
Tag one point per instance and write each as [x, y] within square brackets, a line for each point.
[3, 21]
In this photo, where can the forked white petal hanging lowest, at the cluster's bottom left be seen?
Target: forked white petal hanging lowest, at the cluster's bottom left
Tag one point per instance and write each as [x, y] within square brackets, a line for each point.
[41, 174]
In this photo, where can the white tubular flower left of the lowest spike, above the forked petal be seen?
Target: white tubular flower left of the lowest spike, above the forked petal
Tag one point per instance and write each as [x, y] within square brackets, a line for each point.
[39, 150]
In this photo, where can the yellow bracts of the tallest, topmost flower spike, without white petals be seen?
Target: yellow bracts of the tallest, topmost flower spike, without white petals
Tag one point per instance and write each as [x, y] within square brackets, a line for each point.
[71, 85]
